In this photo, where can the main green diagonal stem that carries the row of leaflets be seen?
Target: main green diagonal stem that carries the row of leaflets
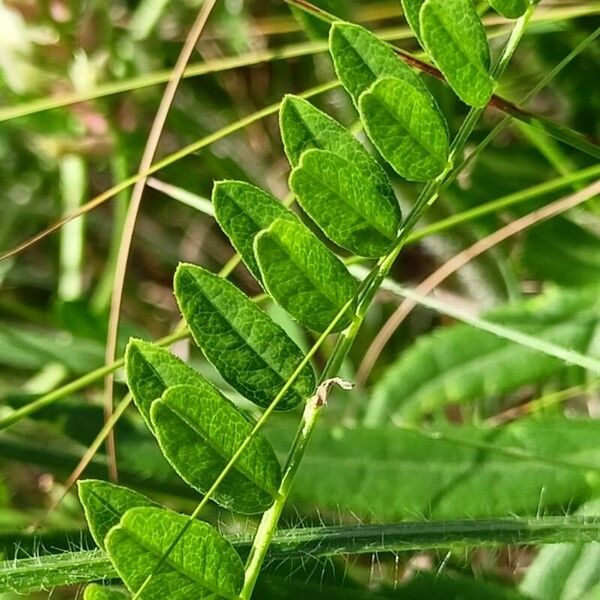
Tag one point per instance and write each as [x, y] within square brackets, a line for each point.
[270, 519]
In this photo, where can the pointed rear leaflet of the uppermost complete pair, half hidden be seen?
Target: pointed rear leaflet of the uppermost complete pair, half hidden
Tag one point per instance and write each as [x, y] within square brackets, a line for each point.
[360, 58]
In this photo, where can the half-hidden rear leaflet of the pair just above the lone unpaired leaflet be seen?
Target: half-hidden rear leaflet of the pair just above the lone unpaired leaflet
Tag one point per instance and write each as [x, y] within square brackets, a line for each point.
[243, 210]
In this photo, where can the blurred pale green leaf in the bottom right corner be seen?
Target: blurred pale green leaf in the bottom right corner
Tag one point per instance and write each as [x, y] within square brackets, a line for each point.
[566, 571]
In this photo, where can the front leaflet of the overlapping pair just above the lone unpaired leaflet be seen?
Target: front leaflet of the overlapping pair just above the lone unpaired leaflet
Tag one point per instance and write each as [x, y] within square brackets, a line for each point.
[303, 275]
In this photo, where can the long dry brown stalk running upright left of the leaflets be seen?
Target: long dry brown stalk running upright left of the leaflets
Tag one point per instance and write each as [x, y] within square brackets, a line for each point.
[134, 206]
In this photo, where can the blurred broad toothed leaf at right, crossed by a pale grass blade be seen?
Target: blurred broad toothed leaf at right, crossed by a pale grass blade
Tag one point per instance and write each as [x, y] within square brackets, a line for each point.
[460, 364]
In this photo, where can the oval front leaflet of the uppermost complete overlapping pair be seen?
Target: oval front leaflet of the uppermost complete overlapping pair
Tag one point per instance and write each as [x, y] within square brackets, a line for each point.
[408, 130]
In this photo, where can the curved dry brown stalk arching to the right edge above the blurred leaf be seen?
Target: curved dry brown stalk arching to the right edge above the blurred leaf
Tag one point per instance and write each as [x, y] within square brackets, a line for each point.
[460, 260]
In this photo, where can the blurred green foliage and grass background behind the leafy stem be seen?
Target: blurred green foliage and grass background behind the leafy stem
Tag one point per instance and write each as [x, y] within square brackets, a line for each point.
[54, 297]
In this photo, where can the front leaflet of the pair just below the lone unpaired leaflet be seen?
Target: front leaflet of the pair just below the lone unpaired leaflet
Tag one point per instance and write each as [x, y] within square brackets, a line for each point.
[199, 430]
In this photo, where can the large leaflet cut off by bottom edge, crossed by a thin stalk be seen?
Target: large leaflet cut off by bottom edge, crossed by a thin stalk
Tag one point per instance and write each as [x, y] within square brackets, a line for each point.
[202, 564]
